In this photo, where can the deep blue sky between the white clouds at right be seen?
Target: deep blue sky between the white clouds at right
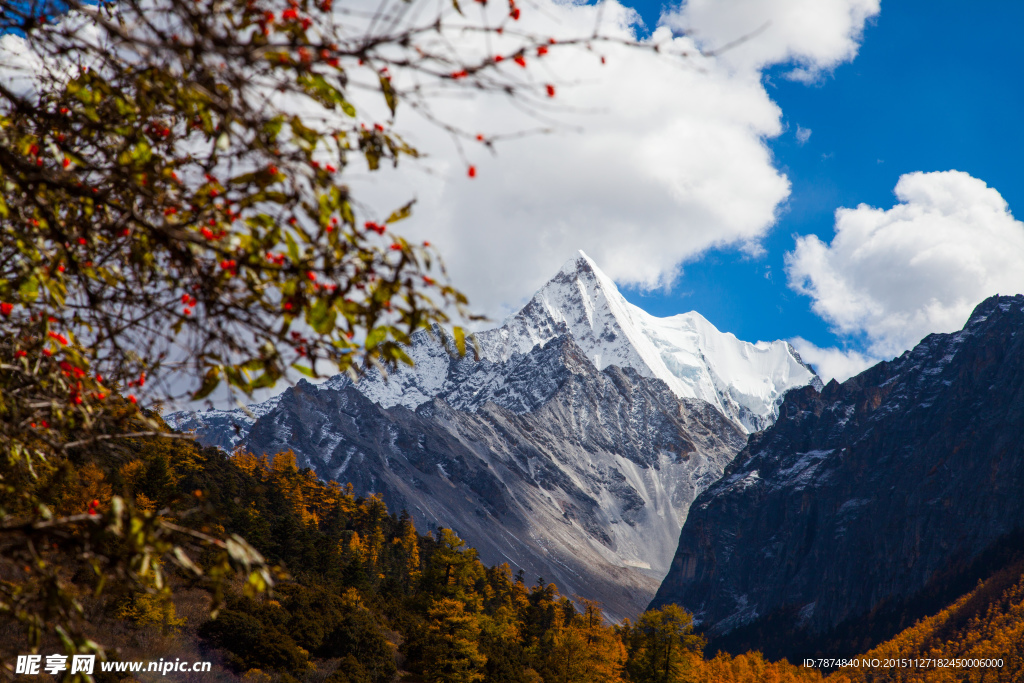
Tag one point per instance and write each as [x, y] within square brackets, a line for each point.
[936, 86]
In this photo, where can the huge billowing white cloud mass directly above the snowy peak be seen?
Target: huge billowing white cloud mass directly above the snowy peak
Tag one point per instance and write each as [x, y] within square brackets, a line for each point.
[653, 162]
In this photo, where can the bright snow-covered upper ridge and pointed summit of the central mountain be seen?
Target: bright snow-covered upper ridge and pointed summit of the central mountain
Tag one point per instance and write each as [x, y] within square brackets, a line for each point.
[745, 381]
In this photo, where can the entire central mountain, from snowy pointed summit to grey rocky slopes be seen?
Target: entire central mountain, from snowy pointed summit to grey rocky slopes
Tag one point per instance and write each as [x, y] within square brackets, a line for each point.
[571, 446]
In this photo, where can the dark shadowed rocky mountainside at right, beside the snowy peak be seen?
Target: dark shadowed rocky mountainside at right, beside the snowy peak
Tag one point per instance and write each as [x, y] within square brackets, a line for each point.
[865, 492]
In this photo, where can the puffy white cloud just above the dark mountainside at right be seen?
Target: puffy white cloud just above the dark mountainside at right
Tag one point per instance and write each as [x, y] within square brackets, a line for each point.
[895, 276]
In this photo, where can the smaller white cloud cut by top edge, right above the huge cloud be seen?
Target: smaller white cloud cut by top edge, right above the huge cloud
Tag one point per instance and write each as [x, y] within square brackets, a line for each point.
[817, 35]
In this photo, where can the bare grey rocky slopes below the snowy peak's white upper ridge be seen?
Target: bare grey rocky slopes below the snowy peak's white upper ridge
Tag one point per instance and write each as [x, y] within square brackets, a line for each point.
[574, 475]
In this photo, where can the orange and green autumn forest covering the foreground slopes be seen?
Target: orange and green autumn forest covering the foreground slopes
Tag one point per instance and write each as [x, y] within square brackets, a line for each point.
[362, 596]
